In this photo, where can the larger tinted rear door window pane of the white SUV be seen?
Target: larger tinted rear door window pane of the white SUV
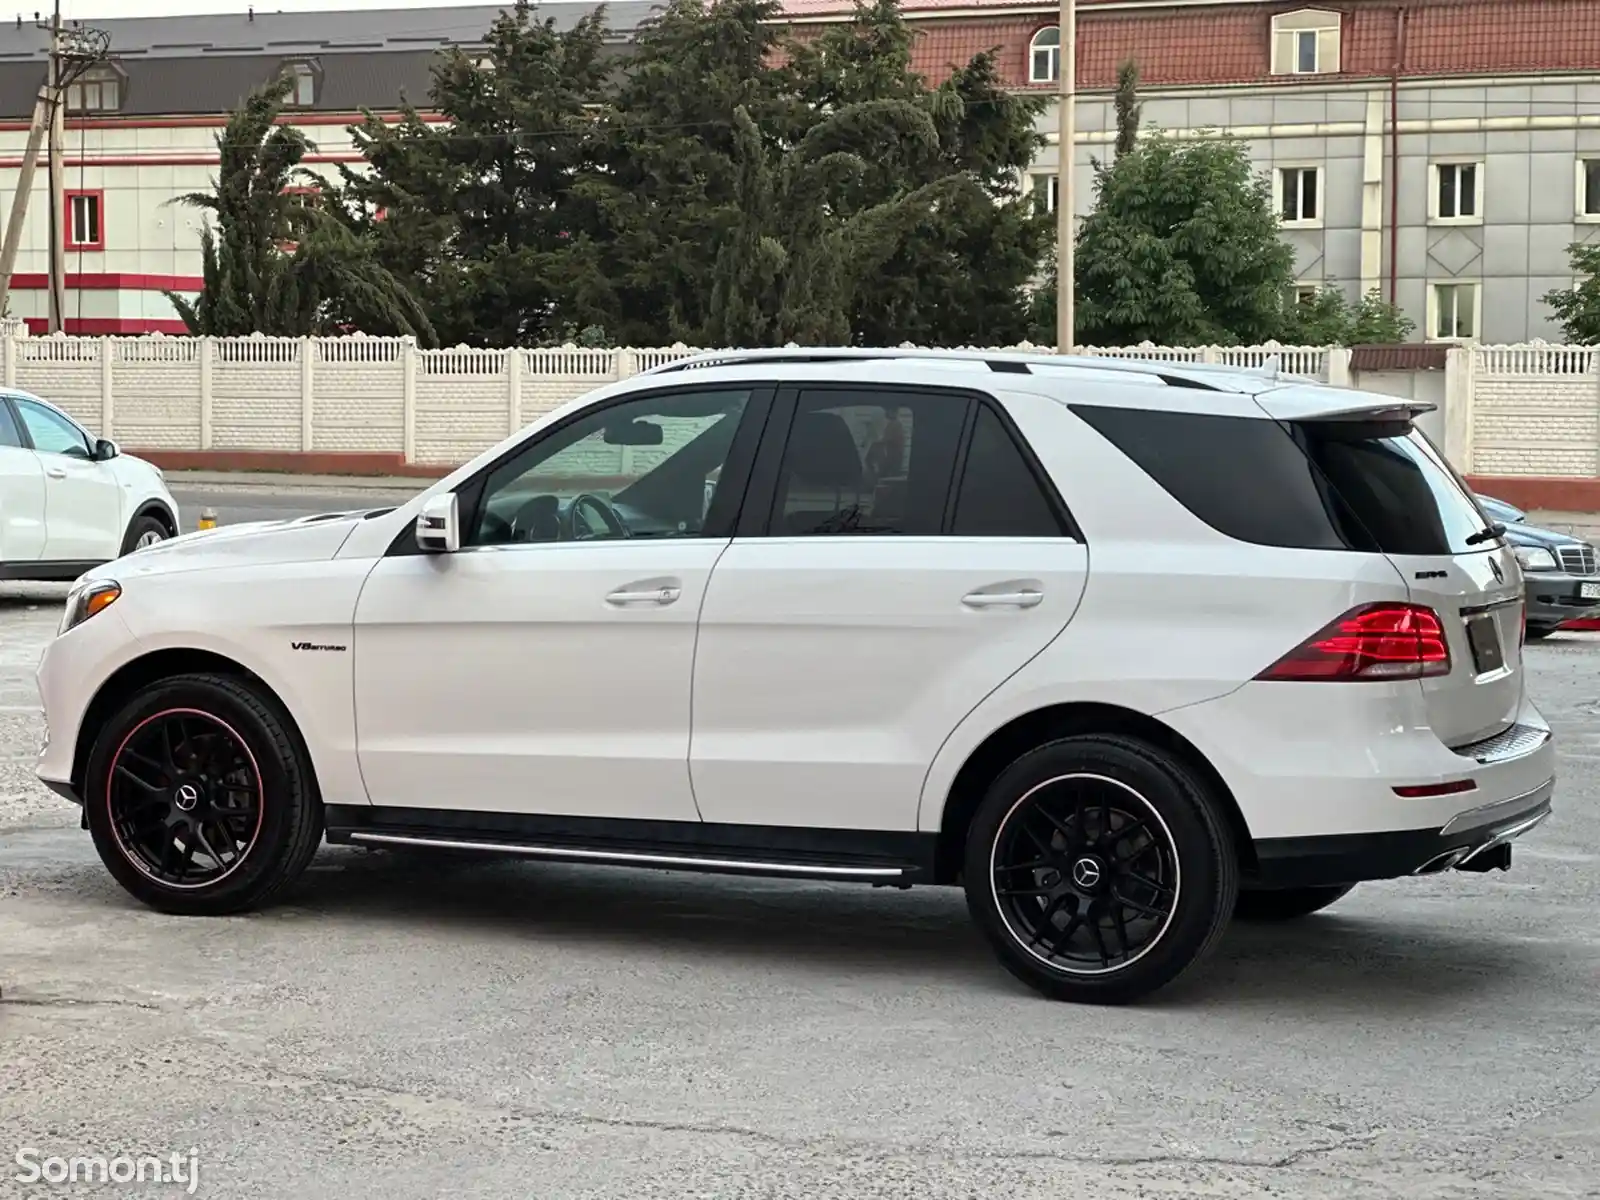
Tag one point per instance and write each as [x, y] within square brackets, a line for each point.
[866, 462]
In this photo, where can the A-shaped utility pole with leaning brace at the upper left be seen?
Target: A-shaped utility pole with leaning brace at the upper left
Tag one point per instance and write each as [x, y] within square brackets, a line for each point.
[71, 54]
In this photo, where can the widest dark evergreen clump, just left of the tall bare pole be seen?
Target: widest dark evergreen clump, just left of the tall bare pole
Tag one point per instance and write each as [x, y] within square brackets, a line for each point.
[761, 190]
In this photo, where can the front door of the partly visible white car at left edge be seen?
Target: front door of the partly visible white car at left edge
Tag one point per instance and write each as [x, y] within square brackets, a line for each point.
[82, 497]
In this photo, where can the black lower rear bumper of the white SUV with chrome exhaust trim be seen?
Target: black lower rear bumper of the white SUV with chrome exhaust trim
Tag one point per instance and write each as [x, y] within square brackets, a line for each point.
[1476, 839]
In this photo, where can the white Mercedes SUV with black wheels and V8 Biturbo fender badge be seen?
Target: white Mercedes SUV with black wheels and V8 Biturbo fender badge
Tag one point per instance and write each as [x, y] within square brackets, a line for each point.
[1121, 649]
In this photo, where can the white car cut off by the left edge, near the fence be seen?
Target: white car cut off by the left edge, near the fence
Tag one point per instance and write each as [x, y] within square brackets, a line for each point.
[70, 500]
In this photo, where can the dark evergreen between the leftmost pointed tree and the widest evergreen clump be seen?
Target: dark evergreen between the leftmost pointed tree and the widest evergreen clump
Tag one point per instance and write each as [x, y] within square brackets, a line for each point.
[481, 214]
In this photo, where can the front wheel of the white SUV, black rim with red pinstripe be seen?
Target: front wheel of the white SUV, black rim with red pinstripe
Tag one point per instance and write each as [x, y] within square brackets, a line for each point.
[169, 798]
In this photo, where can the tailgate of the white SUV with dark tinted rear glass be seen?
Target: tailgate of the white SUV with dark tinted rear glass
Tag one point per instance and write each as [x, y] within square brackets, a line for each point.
[1396, 494]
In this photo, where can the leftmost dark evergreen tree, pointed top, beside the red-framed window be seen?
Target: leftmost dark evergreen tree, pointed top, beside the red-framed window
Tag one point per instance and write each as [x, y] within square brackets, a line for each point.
[273, 265]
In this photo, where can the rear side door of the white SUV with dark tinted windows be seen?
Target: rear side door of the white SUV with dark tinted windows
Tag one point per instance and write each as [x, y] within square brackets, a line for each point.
[910, 561]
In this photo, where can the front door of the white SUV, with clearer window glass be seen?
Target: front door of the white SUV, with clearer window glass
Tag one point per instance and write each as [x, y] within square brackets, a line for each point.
[546, 666]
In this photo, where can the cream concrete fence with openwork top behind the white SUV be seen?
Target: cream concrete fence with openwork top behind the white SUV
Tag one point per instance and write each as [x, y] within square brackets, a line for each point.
[375, 406]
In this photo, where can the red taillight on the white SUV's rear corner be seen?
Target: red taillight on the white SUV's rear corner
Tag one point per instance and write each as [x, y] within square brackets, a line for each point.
[1374, 642]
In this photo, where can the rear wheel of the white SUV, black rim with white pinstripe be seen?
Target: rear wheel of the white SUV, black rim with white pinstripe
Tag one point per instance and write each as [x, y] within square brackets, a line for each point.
[1100, 868]
